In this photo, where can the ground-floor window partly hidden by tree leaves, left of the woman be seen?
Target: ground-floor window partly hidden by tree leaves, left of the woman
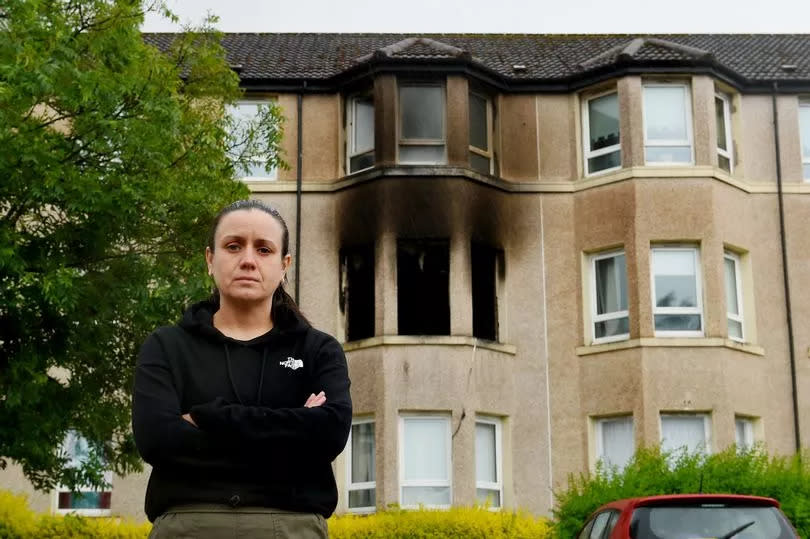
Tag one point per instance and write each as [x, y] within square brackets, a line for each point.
[86, 501]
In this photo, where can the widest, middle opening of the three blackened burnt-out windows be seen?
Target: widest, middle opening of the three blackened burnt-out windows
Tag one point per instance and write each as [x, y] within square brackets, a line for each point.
[423, 287]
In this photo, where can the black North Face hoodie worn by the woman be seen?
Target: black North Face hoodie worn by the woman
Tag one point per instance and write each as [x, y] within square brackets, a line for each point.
[256, 445]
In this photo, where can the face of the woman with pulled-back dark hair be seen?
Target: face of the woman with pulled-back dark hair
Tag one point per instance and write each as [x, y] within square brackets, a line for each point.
[246, 263]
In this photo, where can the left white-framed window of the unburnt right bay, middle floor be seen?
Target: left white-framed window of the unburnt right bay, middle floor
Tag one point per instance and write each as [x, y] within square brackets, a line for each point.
[610, 318]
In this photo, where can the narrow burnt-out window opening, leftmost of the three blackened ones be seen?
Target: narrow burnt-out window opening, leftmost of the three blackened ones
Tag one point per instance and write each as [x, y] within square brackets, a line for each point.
[357, 291]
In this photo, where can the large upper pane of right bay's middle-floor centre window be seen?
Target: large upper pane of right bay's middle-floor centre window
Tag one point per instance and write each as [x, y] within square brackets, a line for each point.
[675, 279]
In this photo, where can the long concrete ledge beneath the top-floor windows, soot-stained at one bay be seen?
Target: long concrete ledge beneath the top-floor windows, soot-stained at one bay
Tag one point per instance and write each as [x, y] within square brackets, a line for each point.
[557, 186]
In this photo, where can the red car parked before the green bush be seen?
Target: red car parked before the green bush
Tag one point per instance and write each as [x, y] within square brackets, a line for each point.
[689, 516]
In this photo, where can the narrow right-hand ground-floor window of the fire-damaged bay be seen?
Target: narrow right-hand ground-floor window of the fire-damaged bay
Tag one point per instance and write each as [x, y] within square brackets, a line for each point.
[488, 474]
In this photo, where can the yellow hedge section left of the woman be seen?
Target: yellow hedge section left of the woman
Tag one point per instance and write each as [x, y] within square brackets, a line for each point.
[17, 521]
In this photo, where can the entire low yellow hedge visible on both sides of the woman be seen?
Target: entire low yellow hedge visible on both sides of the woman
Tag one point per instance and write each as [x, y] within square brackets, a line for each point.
[17, 521]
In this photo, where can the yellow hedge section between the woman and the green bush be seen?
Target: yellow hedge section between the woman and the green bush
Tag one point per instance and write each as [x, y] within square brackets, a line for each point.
[461, 522]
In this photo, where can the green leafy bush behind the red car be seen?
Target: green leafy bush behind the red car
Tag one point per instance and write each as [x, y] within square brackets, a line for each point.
[652, 472]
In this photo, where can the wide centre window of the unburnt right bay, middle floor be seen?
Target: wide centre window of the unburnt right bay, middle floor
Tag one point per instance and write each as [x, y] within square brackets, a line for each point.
[676, 292]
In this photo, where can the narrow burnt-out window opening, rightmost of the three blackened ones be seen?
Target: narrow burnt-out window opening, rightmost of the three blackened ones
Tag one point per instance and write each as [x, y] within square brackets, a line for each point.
[487, 266]
